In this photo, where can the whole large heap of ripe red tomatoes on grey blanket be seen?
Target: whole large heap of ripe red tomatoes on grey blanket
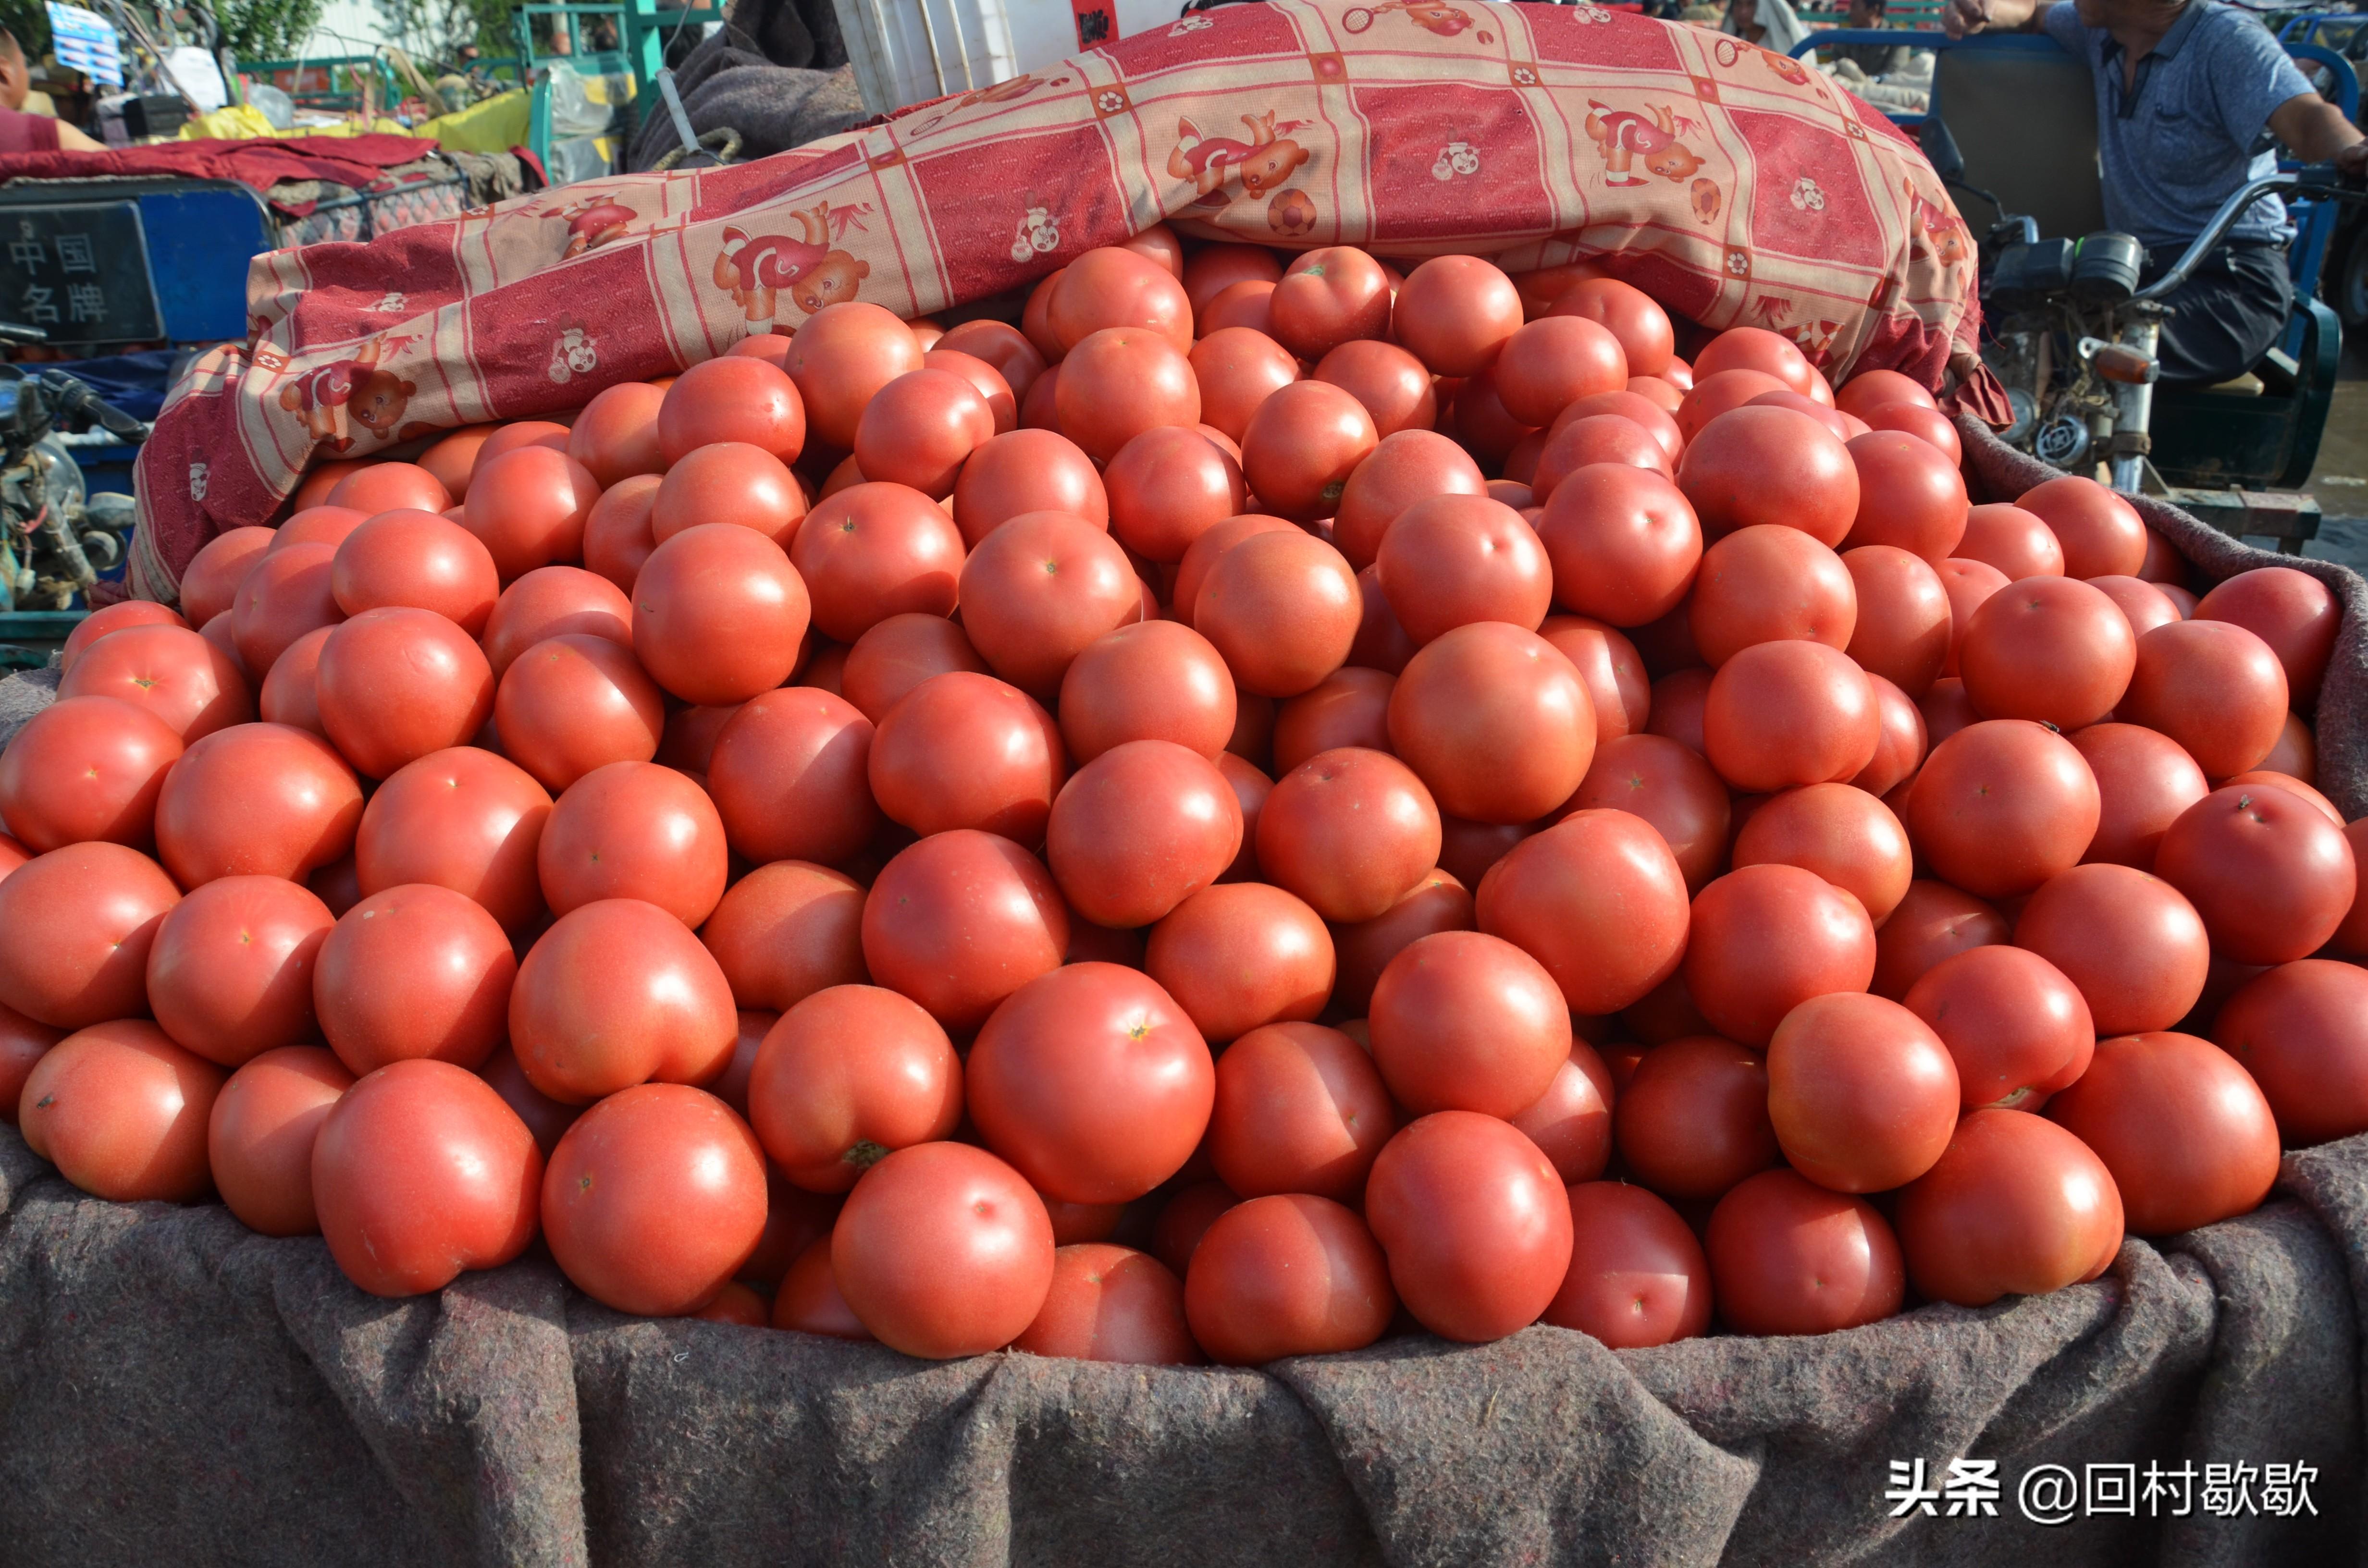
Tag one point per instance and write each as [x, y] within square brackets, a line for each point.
[1254, 811]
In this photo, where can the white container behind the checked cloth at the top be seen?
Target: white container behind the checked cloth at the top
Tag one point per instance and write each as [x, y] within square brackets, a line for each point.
[913, 51]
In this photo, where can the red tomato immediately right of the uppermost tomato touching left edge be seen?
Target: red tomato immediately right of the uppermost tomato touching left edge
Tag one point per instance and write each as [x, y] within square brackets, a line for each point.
[257, 802]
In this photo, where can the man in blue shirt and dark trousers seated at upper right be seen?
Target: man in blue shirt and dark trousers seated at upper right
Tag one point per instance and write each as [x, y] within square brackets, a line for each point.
[2184, 96]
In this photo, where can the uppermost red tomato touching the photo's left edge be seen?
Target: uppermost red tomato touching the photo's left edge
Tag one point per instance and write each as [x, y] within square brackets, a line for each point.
[89, 769]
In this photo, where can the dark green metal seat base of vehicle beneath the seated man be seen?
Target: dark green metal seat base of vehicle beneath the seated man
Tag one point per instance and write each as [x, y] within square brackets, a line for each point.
[2258, 444]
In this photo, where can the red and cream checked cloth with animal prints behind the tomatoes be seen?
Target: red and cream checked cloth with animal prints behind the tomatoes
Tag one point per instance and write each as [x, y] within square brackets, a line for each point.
[1732, 184]
